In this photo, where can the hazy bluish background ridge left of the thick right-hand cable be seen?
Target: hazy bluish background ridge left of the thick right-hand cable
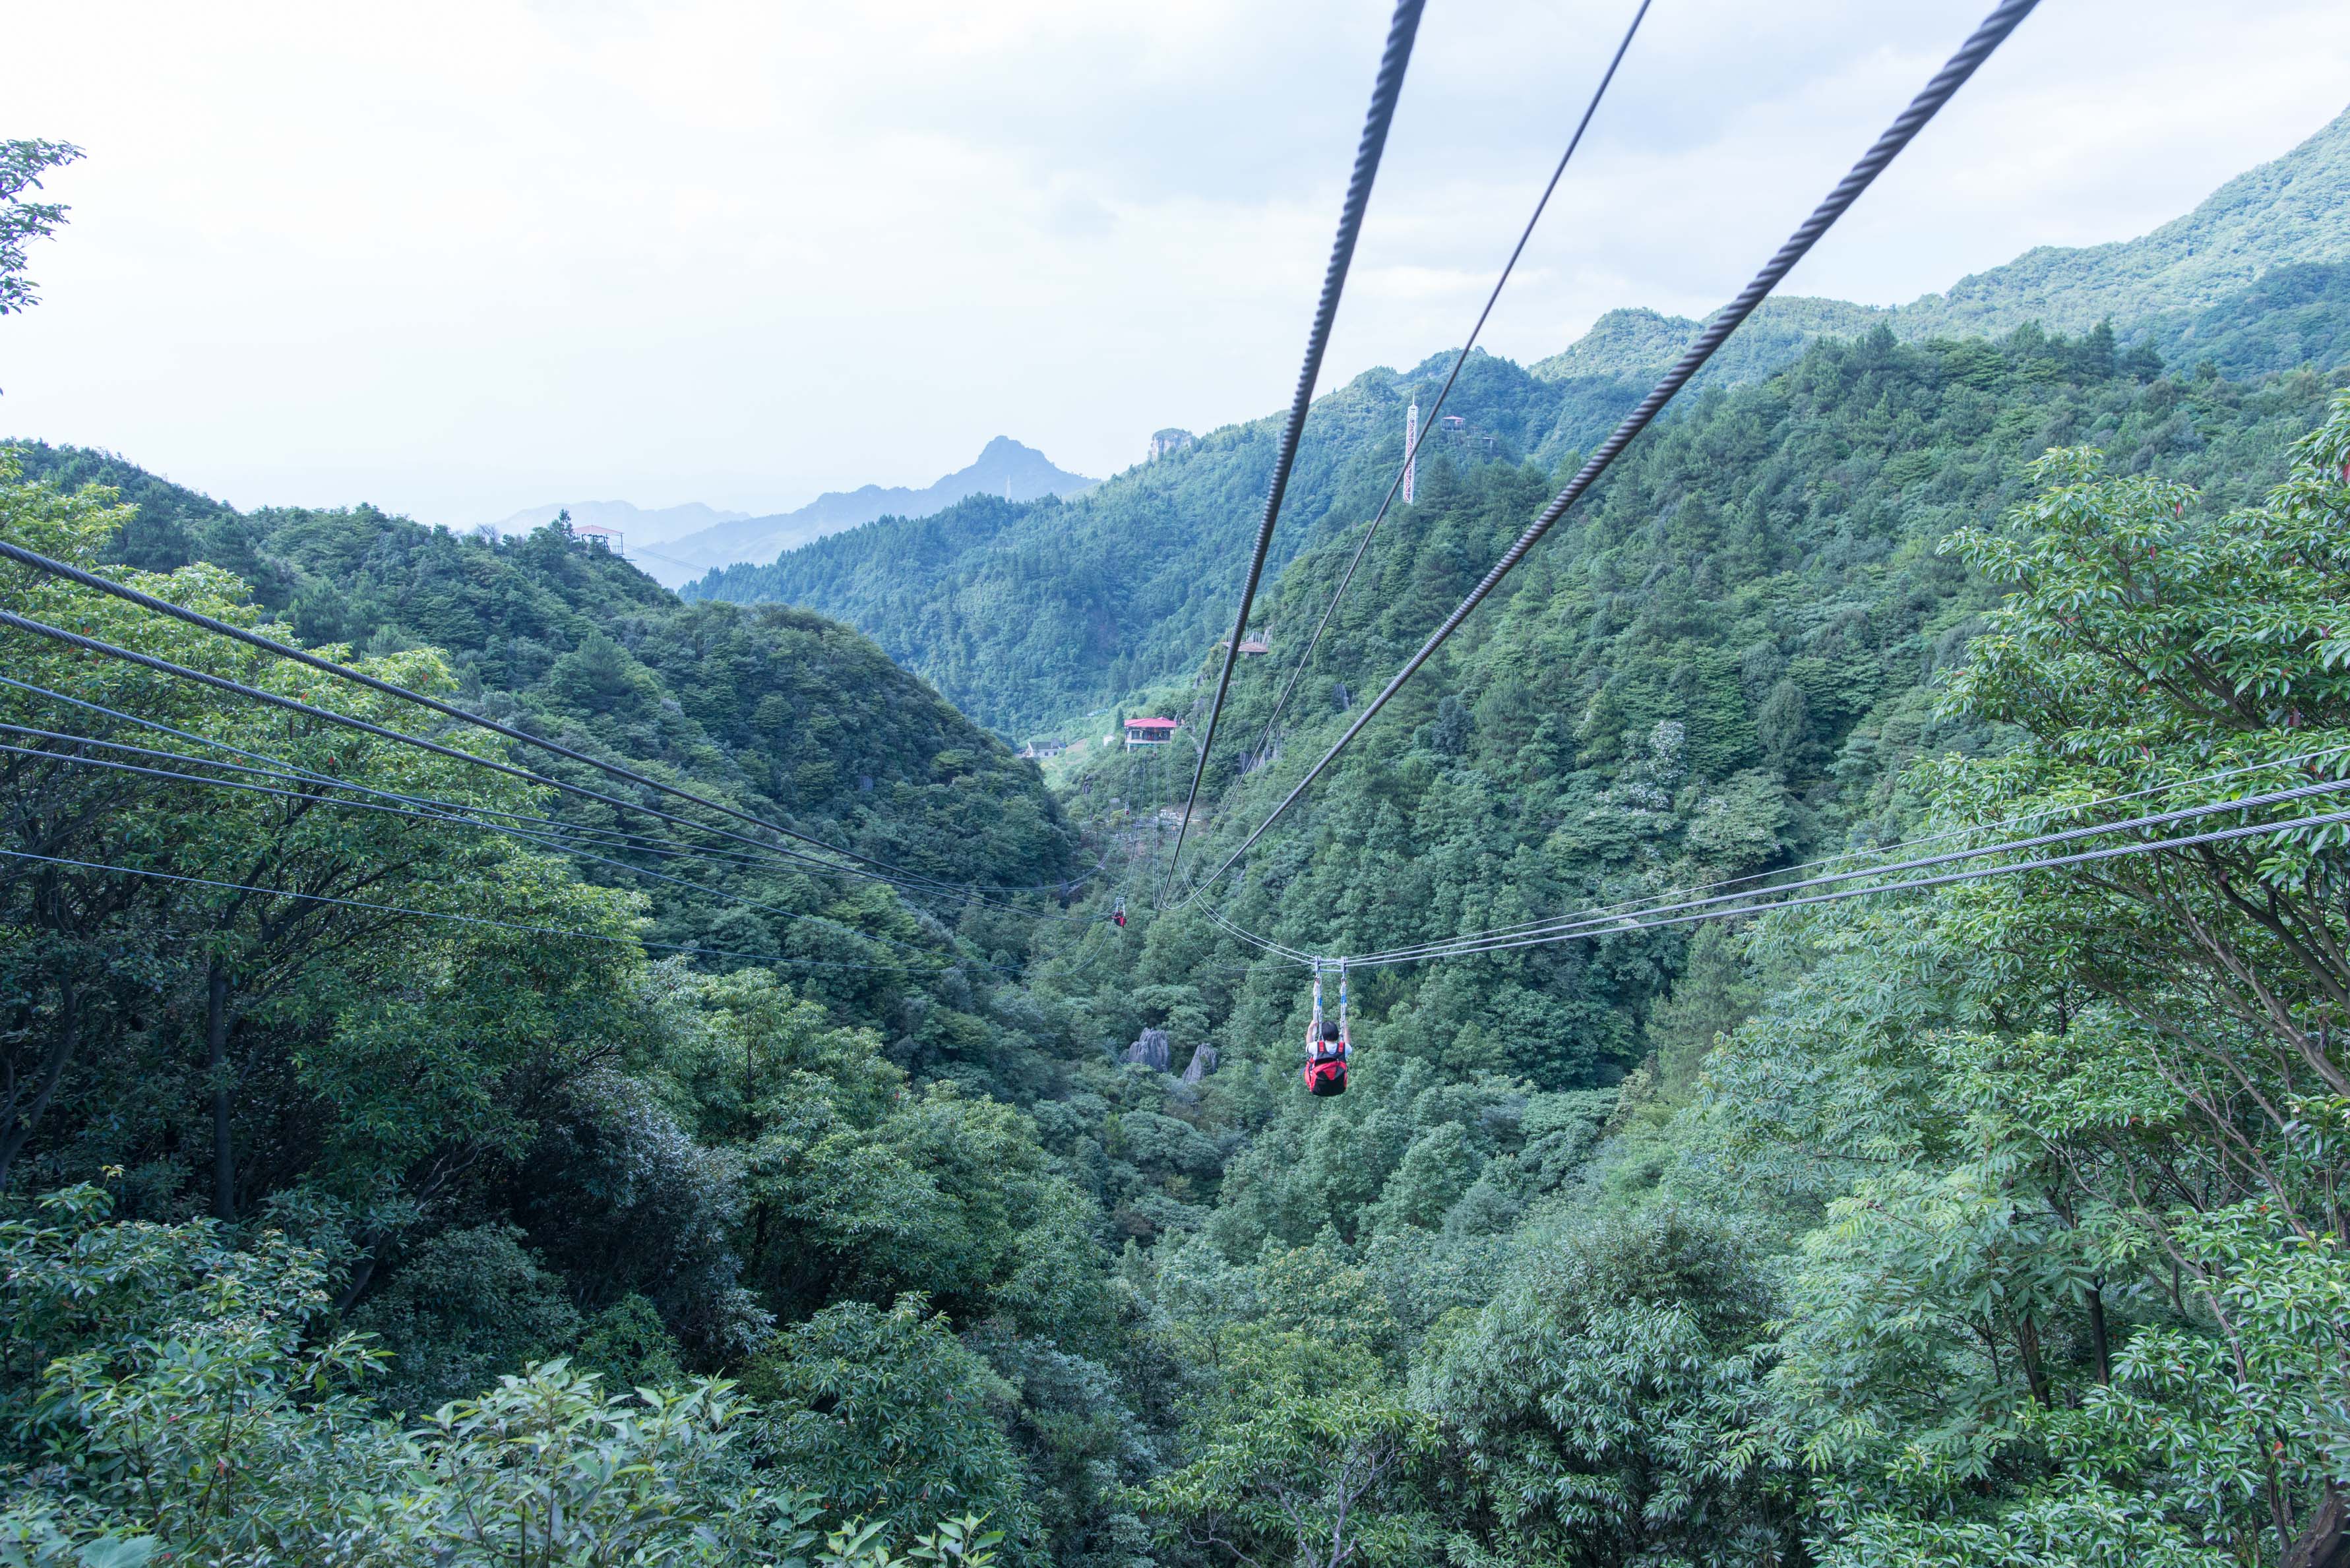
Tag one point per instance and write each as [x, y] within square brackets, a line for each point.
[1026, 615]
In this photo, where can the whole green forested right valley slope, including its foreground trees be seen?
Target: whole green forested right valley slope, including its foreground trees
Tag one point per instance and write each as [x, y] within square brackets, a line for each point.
[1905, 1233]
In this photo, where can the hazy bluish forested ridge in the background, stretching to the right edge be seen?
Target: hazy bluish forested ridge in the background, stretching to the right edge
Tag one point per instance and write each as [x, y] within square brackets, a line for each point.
[1033, 615]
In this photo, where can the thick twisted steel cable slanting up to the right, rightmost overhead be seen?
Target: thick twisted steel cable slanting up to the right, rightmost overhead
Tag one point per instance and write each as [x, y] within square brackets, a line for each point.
[1989, 36]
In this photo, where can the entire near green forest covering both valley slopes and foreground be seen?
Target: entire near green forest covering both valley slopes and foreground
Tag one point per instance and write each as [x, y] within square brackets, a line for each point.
[1975, 1226]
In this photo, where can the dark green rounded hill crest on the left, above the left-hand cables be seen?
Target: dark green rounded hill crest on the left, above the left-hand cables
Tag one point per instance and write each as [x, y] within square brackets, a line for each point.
[793, 711]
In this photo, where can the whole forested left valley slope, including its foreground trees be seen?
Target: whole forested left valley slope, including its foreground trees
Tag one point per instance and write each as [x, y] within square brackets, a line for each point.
[311, 1059]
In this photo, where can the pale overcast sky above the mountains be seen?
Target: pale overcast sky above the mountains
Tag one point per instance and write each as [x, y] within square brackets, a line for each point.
[471, 257]
